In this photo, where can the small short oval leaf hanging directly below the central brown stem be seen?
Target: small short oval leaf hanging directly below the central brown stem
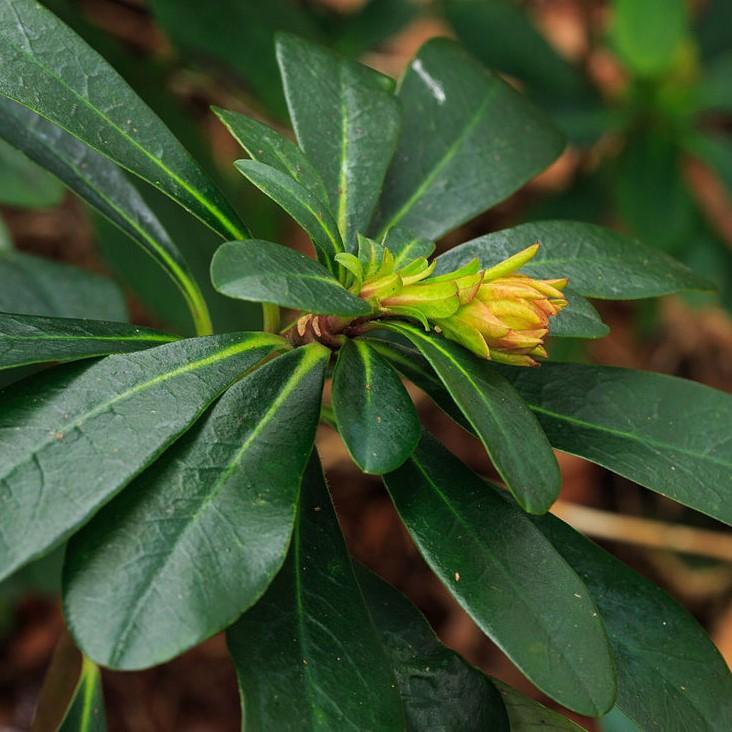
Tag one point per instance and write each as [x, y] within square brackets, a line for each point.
[374, 413]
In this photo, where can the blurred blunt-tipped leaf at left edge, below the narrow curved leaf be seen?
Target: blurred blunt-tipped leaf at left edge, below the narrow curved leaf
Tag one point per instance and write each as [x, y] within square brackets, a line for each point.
[35, 286]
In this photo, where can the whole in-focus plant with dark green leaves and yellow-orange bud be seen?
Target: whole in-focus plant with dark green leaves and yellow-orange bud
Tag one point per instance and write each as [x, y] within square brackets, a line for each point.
[182, 472]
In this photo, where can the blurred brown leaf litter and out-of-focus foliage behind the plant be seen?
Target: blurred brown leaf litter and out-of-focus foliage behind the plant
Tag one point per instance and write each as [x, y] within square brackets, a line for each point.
[643, 92]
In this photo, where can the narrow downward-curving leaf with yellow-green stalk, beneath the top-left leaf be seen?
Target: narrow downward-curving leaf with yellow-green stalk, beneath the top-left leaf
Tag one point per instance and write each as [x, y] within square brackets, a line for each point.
[104, 186]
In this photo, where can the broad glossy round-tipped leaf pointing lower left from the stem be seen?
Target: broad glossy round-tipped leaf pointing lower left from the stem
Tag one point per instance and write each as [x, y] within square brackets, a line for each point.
[222, 501]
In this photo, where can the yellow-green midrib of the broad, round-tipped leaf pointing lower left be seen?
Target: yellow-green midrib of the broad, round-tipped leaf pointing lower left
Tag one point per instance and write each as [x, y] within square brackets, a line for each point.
[308, 363]
